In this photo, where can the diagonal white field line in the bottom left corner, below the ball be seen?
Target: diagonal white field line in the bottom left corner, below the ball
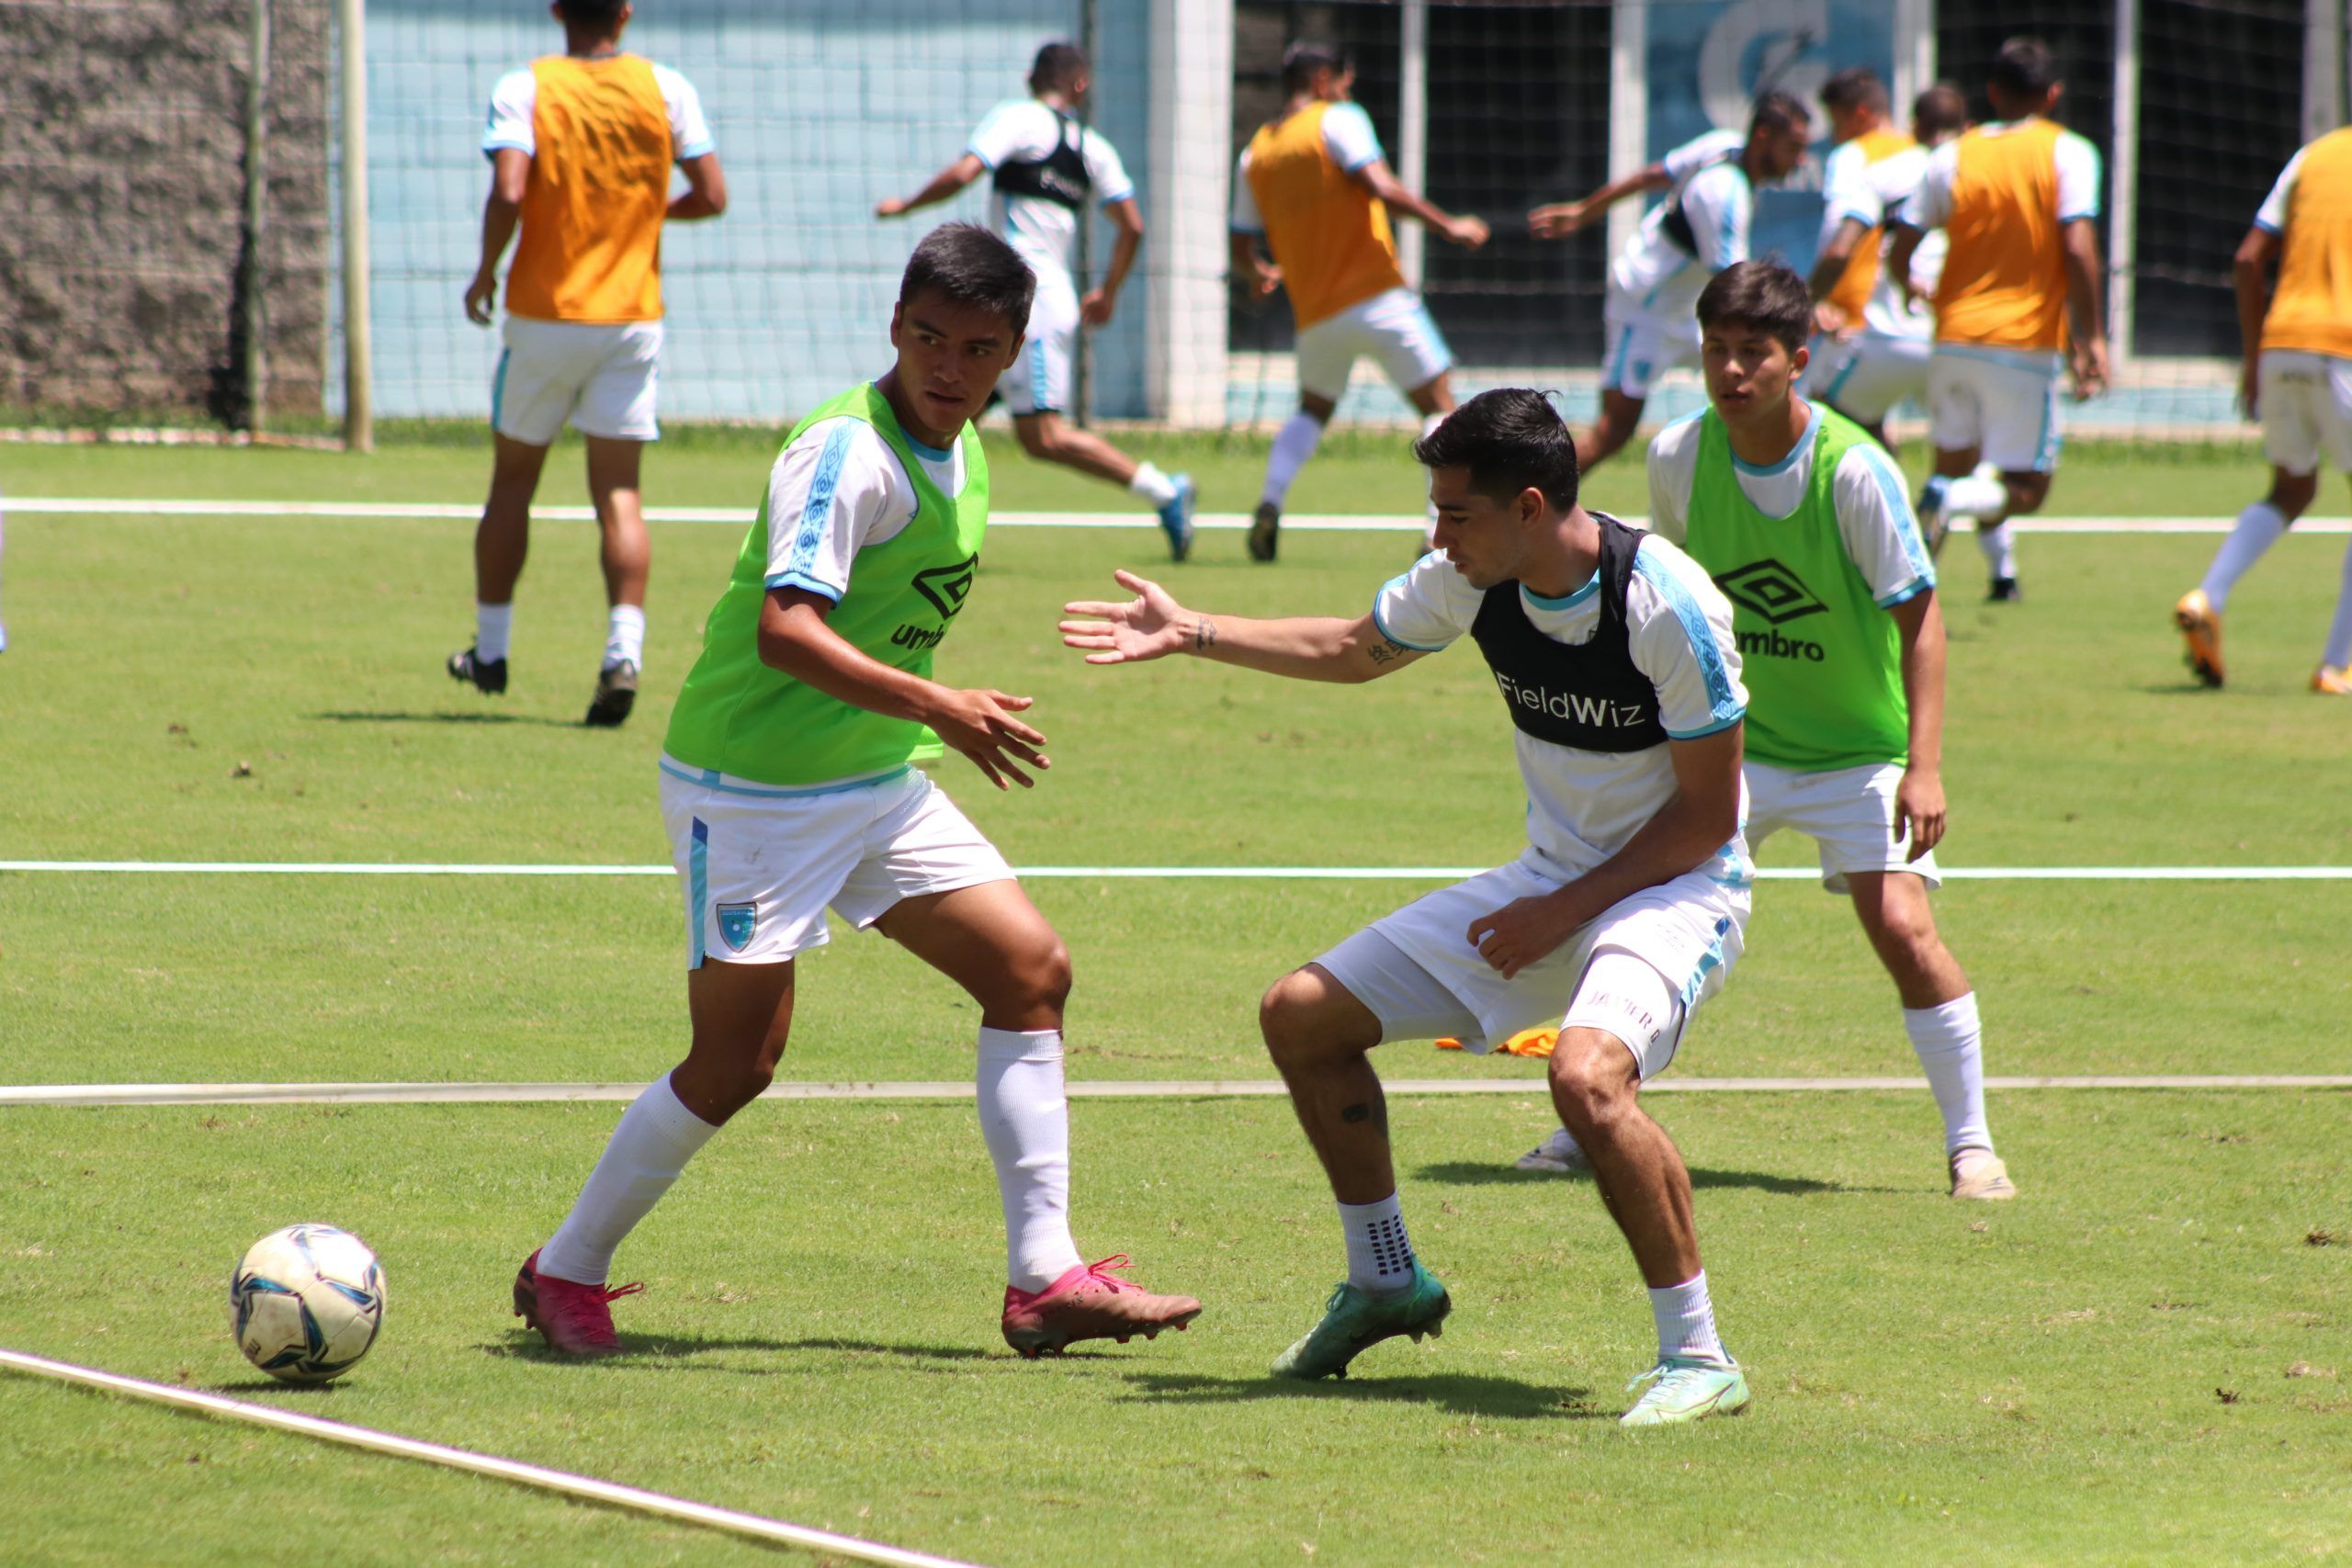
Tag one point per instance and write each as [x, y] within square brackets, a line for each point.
[584, 1489]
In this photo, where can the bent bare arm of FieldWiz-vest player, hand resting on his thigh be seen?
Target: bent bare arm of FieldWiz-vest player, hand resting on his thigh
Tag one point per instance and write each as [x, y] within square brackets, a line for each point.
[1685, 836]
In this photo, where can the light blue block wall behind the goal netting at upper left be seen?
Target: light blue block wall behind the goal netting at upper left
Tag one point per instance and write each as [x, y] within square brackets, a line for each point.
[820, 109]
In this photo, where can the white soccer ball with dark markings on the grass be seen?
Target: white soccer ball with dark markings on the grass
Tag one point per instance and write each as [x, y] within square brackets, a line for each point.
[307, 1304]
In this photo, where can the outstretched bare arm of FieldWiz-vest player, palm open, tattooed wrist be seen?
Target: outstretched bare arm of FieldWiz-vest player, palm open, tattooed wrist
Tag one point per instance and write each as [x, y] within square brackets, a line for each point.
[1302, 648]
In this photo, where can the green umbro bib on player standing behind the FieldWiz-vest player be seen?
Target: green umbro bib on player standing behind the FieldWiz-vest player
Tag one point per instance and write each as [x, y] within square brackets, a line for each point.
[1822, 662]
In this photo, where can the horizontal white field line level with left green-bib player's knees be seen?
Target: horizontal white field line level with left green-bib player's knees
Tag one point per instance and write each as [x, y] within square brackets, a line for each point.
[1102, 1090]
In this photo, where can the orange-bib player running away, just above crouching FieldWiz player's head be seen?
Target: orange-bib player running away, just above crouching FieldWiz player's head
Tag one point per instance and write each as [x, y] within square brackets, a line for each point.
[1316, 187]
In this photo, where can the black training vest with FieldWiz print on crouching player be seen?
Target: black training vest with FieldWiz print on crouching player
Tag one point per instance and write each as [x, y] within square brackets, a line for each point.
[1582, 695]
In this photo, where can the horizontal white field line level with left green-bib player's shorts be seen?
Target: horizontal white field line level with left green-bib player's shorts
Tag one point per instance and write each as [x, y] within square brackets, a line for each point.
[1125, 873]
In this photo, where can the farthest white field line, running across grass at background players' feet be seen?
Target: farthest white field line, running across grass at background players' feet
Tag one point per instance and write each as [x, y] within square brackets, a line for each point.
[740, 516]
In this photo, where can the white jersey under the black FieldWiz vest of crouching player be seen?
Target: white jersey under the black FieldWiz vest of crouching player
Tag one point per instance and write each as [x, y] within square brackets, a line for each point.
[1584, 808]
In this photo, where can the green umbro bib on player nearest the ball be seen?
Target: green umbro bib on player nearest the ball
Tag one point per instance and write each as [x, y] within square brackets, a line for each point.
[744, 718]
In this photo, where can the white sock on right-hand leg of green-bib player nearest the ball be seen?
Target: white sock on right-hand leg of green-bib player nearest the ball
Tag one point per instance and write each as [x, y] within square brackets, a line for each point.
[1027, 1123]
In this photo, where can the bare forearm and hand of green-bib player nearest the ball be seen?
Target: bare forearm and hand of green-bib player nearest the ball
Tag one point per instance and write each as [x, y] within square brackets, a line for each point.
[980, 725]
